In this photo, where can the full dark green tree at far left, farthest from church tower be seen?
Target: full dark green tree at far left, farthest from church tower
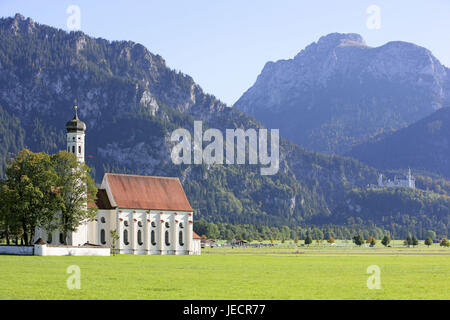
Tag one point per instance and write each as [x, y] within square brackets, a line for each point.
[29, 193]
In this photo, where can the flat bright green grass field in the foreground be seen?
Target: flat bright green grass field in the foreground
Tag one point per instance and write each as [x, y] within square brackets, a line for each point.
[225, 273]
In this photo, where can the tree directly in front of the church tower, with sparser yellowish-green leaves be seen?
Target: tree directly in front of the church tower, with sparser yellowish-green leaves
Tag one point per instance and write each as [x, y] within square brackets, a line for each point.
[75, 189]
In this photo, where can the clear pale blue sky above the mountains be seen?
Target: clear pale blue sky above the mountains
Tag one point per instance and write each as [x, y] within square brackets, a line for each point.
[224, 44]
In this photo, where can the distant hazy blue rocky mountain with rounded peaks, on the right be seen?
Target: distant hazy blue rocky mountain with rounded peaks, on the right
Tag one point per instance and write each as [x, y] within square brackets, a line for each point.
[338, 92]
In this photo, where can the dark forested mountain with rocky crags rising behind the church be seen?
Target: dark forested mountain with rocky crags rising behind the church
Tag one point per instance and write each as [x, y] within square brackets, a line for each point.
[131, 102]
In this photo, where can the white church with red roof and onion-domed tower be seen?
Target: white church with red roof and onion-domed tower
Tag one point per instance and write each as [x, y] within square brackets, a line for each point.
[151, 215]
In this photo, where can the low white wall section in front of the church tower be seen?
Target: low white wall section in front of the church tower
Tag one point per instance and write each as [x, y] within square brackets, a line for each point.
[44, 250]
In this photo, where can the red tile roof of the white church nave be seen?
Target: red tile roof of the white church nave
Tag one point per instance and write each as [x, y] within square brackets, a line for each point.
[144, 192]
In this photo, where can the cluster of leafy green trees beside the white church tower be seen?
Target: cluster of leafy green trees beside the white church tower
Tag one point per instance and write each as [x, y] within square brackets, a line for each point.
[47, 191]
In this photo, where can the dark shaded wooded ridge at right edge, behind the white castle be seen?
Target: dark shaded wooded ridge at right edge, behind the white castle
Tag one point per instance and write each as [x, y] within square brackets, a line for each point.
[424, 145]
